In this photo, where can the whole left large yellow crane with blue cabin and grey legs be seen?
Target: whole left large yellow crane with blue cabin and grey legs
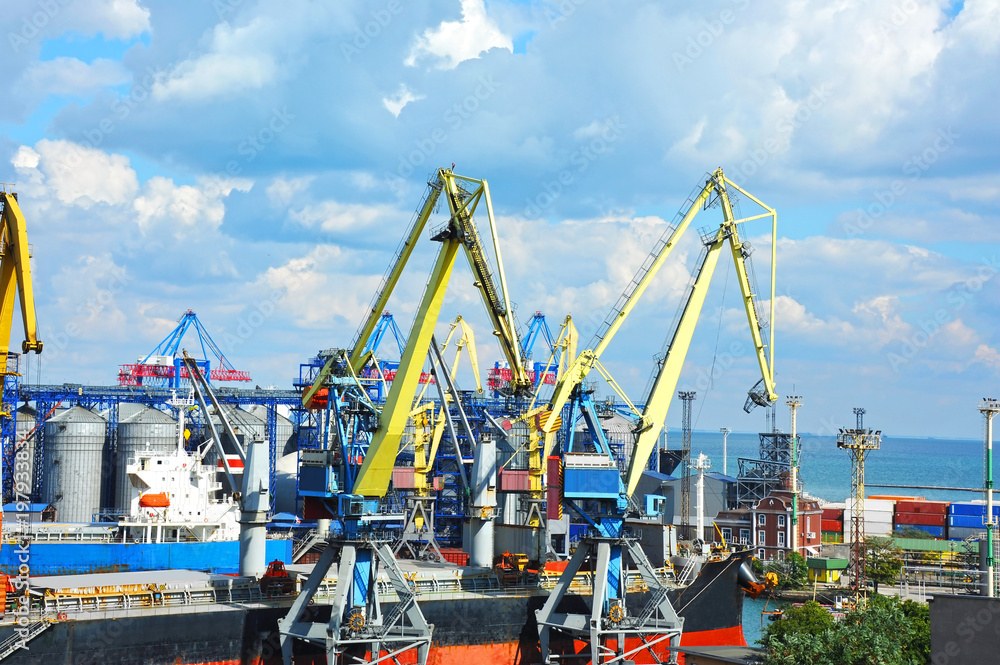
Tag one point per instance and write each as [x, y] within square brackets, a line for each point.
[357, 624]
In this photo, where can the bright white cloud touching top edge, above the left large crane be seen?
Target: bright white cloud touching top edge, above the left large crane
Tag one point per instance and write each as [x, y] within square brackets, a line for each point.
[454, 42]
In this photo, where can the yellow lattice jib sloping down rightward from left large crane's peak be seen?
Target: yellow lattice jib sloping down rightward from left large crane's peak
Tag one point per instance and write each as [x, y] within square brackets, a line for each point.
[463, 205]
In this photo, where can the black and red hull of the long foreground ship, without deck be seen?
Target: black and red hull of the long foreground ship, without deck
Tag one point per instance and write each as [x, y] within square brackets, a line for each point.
[477, 630]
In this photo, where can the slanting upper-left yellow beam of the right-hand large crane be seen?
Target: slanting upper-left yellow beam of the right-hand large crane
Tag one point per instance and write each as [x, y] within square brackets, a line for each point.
[581, 367]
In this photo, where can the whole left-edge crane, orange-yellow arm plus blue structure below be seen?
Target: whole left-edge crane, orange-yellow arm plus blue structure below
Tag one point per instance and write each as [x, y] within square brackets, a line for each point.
[15, 278]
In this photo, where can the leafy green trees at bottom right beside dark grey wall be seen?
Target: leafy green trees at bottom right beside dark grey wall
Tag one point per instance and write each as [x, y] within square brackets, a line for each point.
[885, 632]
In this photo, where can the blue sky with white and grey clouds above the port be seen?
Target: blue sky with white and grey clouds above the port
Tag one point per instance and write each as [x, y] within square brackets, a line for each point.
[259, 162]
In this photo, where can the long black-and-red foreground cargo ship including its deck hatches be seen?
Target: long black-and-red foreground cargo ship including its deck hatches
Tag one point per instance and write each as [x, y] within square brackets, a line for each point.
[191, 618]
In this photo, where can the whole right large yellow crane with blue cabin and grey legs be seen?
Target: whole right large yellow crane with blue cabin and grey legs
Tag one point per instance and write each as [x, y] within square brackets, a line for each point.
[592, 478]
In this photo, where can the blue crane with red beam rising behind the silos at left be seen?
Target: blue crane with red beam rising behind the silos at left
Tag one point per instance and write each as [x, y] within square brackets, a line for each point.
[164, 366]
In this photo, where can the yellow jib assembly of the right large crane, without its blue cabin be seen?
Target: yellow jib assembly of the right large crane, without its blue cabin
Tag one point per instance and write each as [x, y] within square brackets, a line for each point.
[713, 192]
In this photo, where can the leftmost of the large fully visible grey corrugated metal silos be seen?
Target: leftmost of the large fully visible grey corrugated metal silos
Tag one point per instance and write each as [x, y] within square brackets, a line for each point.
[74, 450]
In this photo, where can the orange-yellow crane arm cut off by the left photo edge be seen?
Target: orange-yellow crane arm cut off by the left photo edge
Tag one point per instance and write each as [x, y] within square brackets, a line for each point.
[15, 276]
